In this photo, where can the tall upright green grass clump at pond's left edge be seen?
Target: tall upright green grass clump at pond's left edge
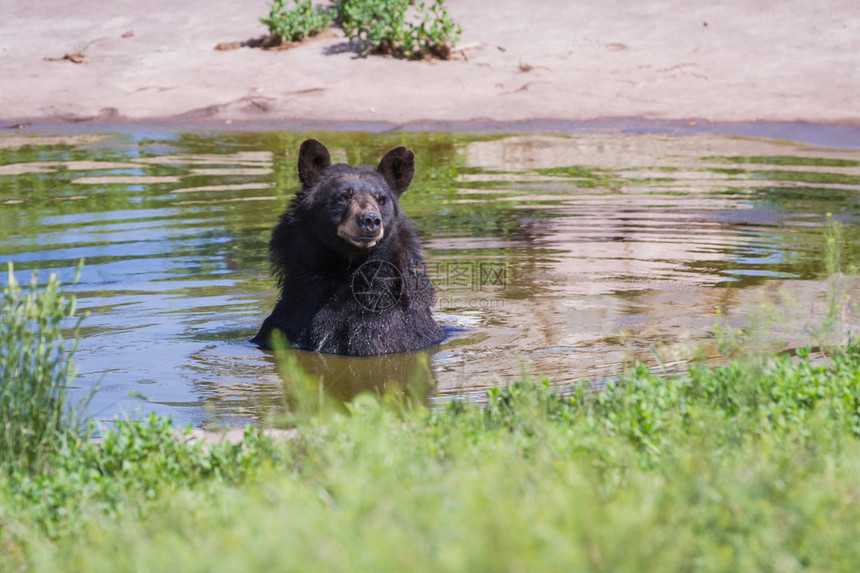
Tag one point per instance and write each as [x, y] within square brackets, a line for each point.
[35, 369]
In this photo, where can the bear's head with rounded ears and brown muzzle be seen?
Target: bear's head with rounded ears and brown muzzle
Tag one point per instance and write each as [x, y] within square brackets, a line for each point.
[355, 207]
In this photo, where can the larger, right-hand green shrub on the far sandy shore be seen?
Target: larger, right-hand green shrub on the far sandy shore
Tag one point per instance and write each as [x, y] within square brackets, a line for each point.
[382, 27]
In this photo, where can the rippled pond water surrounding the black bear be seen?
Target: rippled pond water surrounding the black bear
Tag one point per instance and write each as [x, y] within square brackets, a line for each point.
[566, 256]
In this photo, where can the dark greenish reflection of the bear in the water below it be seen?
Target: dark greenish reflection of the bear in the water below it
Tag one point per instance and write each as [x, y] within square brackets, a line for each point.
[404, 374]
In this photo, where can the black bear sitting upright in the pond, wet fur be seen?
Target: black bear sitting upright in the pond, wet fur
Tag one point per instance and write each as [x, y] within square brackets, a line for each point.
[348, 263]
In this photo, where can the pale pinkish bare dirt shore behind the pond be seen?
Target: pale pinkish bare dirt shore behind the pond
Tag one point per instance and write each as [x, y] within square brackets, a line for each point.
[554, 60]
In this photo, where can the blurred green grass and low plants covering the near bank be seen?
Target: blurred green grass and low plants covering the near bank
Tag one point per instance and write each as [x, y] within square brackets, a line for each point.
[752, 465]
